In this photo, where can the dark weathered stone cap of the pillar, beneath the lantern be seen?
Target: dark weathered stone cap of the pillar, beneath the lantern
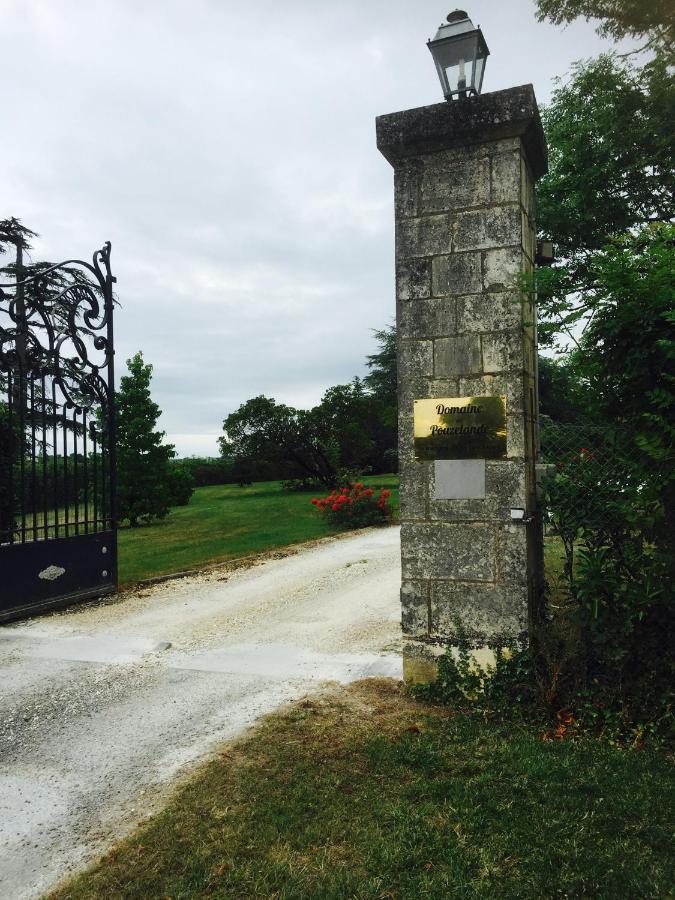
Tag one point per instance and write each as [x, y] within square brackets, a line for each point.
[474, 120]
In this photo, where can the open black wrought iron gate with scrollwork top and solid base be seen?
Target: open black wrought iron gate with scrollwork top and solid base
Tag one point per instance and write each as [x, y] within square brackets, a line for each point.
[58, 540]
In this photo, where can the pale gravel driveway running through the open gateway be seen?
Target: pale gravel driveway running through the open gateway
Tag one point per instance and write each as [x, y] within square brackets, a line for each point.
[105, 707]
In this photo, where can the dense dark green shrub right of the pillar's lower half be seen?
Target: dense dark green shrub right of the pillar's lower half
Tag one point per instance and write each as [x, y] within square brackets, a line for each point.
[605, 504]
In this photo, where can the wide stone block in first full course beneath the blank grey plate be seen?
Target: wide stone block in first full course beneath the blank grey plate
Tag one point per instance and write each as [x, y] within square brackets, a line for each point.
[461, 552]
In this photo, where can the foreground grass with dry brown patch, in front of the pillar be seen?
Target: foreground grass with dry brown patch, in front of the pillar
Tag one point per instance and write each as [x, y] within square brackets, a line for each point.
[368, 794]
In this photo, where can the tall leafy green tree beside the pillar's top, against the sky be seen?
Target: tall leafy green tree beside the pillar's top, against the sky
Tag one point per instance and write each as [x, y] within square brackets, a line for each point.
[611, 170]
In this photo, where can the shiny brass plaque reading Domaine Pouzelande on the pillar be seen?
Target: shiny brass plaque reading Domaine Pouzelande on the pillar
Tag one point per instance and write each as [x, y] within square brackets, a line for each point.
[460, 428]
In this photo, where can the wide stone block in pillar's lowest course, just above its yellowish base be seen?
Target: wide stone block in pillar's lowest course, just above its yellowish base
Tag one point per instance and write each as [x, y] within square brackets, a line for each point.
[489, 613]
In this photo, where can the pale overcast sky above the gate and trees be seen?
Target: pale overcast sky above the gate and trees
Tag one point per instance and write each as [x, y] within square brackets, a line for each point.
[227, 150]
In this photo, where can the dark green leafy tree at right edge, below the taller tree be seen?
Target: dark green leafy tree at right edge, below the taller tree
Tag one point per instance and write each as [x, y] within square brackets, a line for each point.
[627, 356]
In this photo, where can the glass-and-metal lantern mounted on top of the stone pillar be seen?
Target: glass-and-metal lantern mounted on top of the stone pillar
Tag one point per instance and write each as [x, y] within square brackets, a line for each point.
[459, 51]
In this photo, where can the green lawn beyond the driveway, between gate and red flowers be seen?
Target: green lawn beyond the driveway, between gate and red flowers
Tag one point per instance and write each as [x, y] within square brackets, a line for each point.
[225, 522]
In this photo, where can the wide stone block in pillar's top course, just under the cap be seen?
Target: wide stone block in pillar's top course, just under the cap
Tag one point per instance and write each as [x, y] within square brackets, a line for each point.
[455, 186]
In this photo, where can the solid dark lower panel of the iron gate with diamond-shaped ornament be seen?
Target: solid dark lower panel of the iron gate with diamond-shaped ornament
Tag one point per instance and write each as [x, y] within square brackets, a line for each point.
[43, 574]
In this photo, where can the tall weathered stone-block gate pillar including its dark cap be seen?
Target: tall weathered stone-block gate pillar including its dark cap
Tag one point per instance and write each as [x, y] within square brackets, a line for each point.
[464, 199]
